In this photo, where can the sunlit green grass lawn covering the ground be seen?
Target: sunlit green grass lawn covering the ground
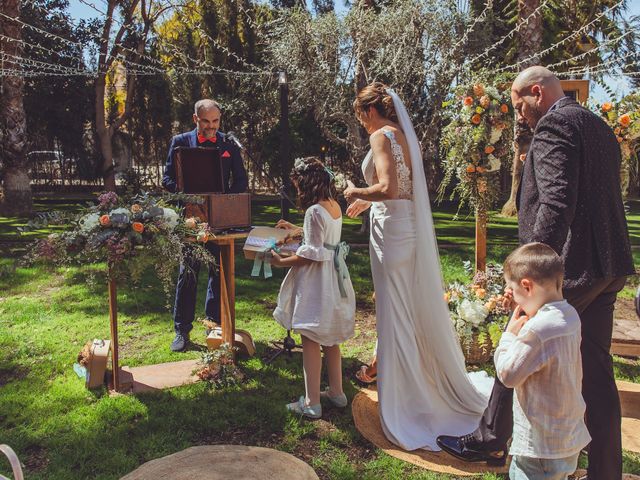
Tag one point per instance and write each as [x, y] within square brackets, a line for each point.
[62, 431]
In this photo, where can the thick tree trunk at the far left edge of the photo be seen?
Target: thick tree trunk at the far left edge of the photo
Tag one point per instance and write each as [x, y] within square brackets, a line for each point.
[18, 198]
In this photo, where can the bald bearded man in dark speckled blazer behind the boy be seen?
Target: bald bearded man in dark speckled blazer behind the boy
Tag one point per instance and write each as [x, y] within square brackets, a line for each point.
[570, 199]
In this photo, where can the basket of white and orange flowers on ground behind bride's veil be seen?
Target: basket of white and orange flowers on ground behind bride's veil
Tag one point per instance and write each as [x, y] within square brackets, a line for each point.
[478, 313]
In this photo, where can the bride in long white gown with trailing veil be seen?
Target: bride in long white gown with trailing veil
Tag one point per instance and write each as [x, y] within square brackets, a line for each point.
[423, 387]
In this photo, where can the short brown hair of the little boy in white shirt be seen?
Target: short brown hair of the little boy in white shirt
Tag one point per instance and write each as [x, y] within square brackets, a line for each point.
[536, 261]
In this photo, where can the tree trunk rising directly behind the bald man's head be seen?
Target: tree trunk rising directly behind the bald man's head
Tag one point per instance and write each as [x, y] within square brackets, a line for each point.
[529, 43]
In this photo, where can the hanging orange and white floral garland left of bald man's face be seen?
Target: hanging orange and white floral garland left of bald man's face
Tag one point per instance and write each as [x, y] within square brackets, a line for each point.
[477, 141]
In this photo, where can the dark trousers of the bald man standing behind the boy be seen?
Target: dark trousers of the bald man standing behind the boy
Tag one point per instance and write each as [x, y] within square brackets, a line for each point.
[595, 307]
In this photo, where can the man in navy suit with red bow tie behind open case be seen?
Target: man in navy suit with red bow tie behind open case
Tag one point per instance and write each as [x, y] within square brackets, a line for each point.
[207, 119]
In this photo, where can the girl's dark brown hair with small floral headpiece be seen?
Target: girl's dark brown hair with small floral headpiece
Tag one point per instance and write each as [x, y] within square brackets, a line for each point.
[313, 182]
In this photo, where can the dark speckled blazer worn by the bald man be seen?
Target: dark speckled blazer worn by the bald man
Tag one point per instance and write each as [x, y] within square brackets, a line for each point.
[570, 196]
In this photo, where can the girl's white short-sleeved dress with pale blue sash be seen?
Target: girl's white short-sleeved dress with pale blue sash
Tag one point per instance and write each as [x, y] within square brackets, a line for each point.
[310, 302]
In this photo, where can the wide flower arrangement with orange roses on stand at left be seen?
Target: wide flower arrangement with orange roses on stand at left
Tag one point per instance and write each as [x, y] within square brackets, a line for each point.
[128, 235]
